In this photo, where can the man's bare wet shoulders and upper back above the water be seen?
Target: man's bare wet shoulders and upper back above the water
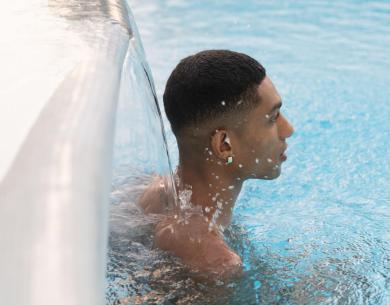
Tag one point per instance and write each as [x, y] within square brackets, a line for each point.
[199, 245]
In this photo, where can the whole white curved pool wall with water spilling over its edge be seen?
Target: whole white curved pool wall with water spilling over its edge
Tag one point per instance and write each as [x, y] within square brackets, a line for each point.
[61, 67]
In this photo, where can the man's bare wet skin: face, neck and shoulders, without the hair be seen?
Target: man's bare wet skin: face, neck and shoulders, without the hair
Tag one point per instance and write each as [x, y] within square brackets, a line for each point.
[256, 140]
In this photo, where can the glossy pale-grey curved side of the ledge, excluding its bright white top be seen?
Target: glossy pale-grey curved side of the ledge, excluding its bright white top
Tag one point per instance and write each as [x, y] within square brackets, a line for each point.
[54, 198]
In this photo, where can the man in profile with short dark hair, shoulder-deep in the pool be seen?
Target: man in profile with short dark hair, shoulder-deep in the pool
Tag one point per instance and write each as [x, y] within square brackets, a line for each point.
[225, 114]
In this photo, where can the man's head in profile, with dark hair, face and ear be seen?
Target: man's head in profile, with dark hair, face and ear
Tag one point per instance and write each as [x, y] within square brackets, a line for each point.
[221, 104]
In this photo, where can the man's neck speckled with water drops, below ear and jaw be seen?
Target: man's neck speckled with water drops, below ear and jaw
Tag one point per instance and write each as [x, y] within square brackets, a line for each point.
[213, 188]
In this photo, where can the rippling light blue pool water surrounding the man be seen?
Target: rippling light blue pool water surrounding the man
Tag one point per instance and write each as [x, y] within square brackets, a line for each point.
[320, 234]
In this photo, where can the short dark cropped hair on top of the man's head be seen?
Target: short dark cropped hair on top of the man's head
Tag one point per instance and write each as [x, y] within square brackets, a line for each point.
[210, 83]
